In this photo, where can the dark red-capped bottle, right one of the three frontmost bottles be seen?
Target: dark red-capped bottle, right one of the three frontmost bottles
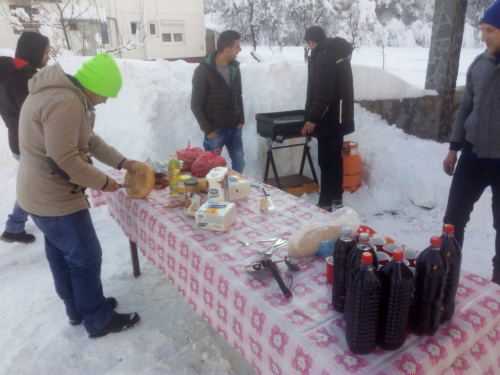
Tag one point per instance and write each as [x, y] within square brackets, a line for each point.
[430, 274]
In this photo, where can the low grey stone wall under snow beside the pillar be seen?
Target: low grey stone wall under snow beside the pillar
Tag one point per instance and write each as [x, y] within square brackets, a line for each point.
[416, 116]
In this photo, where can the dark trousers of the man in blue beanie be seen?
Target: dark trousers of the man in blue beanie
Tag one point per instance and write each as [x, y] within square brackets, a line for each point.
[470, 180]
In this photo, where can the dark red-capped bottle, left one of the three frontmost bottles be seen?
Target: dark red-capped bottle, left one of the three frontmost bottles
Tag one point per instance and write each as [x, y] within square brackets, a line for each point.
[362, 308]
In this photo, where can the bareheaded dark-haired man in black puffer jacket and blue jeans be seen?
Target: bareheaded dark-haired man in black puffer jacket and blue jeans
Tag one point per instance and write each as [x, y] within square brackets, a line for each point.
[216, 100]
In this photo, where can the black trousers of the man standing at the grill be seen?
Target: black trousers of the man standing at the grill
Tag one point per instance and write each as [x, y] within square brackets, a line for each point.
[332, 169]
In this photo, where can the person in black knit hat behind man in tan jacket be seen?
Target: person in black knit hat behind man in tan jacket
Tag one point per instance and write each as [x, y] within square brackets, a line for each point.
[32, 53]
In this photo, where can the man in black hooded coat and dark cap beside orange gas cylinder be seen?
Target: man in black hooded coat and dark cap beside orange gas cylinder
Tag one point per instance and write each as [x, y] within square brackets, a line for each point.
[329, 112]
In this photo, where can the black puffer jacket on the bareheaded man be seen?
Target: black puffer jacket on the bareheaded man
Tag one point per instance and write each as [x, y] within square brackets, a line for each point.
[213, 103]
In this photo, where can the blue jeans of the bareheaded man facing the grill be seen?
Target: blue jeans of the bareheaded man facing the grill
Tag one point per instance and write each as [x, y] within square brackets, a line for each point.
[232, 139]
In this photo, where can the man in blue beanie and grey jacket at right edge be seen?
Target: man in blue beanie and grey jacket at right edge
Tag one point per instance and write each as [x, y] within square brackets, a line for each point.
[476, 134]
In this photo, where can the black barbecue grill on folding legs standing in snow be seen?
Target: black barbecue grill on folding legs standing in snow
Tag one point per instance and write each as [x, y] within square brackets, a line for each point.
[277, 127]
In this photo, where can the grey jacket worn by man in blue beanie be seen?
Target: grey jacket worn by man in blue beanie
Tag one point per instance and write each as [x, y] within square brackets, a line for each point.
[478, 116]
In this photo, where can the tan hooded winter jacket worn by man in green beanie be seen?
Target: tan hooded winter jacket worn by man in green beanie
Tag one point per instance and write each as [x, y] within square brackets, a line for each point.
[56, 139]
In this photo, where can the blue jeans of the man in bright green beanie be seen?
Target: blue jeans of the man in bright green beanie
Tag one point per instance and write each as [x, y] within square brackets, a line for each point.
[74, 255]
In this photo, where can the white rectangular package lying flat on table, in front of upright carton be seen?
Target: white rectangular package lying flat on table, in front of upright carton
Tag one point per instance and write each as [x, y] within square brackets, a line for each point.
[217, 216]
